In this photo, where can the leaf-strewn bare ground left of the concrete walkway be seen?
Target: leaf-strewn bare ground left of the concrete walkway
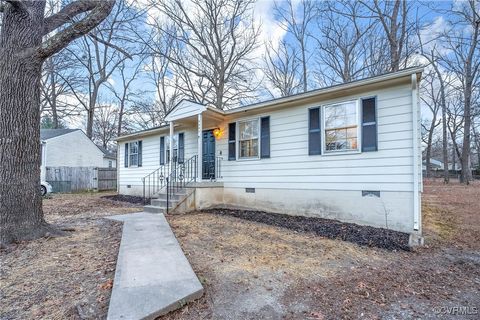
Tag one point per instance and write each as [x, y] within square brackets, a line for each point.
[68, 277]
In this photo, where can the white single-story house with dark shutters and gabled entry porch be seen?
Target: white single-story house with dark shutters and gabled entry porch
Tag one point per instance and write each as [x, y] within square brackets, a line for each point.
[349, 152]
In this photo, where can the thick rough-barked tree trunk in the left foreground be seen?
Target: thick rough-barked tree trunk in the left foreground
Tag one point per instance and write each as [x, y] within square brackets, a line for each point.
[20, 219]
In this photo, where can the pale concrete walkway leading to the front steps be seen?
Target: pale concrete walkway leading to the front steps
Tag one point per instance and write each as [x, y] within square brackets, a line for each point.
[153, 276]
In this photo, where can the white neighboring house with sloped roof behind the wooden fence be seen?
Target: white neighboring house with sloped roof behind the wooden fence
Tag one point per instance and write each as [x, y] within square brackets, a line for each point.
[72, 148]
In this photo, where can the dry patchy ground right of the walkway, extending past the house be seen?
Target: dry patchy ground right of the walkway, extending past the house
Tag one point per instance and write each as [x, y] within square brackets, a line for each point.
[254, 270]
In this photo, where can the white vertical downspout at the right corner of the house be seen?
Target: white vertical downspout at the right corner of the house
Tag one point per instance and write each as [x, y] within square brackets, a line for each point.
[416, 155]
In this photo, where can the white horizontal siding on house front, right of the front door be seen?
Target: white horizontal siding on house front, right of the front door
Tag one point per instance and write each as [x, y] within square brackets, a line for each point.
[290, 166]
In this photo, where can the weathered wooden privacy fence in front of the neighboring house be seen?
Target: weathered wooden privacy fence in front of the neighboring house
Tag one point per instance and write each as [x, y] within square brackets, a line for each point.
[73, 179]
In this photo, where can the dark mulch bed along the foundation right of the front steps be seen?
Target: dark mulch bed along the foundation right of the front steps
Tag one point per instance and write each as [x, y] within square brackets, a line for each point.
[362, 235]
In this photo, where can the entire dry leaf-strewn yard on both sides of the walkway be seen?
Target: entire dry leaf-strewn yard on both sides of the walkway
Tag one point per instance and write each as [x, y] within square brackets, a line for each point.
[251, 270]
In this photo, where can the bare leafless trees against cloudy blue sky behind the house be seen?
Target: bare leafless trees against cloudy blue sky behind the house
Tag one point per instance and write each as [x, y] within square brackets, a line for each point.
[130, 70]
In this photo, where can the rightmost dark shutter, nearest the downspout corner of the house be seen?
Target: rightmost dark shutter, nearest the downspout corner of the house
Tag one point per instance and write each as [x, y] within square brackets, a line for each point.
[369, 125]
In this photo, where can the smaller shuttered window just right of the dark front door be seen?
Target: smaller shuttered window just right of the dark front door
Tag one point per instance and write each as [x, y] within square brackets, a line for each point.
[248, 134]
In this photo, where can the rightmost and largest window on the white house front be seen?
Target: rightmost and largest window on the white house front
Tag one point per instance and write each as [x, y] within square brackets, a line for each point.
[341, 127]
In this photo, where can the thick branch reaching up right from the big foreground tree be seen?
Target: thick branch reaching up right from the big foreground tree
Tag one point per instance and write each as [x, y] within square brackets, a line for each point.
[59, 41]
